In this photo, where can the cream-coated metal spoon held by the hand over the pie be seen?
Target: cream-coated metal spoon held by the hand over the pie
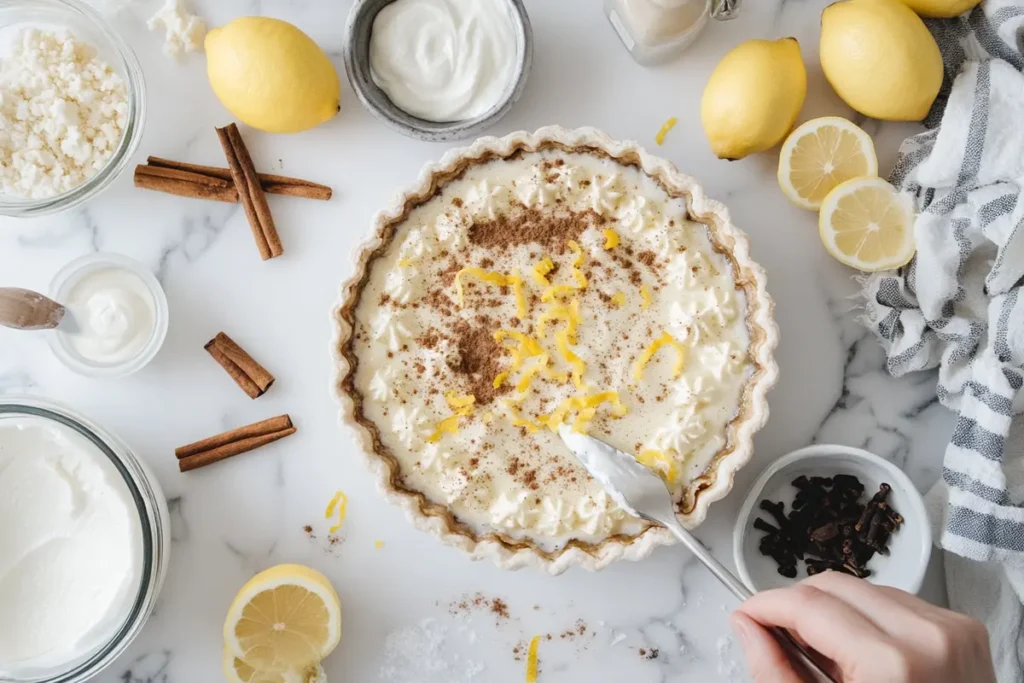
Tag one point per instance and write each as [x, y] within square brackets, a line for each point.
[643, 493]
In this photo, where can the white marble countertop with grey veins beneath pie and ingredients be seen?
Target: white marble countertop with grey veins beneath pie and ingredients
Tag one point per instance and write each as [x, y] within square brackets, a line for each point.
[238, 518]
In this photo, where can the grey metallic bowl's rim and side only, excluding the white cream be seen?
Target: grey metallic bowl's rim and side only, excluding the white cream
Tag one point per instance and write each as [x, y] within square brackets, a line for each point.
[358, 31]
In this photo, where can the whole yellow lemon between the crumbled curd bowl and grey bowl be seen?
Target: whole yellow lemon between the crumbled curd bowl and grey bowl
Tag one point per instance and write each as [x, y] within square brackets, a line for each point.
[271, 75]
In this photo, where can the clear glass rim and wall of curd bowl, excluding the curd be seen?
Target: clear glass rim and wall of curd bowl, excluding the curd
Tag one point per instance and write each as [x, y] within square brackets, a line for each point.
[90, 26]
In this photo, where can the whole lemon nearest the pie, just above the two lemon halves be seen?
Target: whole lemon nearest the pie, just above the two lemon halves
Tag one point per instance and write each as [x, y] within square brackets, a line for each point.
[753, 97]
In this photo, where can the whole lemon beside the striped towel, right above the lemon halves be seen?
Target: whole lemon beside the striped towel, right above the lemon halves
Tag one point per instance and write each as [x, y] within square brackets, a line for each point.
[881, 59]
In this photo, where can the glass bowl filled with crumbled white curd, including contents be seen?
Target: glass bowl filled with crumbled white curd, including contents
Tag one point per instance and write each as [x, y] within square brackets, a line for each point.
[72, 105]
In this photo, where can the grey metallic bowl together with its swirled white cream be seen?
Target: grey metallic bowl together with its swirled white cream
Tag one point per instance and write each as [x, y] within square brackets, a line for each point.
[439, 71]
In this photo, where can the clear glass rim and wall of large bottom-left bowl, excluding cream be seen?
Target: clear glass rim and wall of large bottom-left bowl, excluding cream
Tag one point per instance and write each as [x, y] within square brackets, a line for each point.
[156, 538]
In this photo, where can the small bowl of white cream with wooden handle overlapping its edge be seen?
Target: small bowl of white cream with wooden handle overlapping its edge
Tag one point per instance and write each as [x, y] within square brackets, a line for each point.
[120, 316]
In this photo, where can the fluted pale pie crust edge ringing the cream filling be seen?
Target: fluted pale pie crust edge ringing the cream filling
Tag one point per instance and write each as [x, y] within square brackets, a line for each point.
[717, 480]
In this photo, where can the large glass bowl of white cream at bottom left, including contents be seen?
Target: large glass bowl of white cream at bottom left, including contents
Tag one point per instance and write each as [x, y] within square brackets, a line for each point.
[84, 542]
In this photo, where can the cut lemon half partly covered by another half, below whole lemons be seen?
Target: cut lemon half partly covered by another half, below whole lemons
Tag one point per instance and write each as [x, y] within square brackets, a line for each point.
[821, 155]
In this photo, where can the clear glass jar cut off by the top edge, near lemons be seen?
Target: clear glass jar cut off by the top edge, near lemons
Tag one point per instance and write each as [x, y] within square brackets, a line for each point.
[656, 31]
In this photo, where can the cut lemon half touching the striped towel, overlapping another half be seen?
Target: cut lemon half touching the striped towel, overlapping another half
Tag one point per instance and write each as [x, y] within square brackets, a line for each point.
[868, 225]
